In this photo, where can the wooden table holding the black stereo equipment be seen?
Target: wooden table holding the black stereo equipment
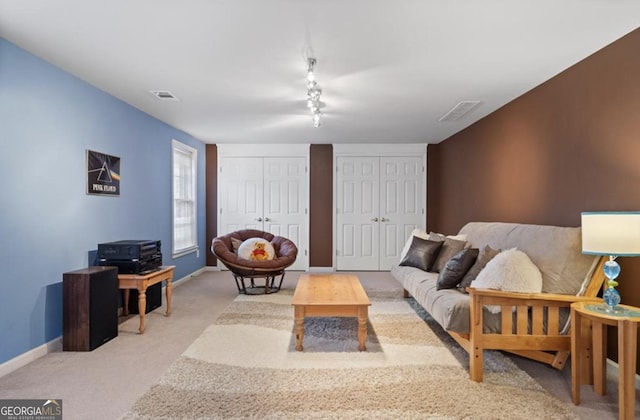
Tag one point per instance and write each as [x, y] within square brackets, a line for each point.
[141, 282]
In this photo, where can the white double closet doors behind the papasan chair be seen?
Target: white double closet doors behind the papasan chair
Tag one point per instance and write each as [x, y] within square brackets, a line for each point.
[268, 194]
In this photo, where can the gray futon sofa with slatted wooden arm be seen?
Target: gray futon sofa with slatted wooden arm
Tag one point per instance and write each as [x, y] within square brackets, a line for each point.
[566, 274]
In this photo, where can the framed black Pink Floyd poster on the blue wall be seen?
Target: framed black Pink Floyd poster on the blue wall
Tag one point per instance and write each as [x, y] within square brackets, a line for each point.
[103, 174]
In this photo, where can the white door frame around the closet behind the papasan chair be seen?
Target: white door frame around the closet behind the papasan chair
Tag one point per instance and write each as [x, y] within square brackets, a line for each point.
[267, 151]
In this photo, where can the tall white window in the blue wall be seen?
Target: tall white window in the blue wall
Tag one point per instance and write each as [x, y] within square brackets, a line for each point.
[184, 199]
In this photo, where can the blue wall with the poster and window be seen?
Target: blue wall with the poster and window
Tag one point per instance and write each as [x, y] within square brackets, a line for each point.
[48, 224]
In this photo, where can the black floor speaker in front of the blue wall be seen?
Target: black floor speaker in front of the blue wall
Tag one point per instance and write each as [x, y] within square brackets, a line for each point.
[90, 308]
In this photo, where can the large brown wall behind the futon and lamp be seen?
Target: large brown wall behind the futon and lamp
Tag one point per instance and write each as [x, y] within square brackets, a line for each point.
[570, 145]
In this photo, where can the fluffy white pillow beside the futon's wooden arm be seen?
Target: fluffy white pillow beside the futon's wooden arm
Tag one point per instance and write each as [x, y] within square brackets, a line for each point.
[511, 271]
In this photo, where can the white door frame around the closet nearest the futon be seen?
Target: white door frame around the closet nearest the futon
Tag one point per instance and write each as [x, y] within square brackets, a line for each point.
[374, 150]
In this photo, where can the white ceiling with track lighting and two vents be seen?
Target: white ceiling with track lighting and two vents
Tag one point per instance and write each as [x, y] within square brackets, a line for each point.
[389, 69]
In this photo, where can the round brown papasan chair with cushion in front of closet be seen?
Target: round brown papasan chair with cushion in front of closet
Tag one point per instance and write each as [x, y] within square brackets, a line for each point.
[225, 249]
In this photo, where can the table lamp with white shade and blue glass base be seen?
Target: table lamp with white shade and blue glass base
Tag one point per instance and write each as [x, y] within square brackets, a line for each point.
[616, 234]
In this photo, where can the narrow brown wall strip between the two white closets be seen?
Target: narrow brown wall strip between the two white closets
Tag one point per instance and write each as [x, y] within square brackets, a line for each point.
[321, 205]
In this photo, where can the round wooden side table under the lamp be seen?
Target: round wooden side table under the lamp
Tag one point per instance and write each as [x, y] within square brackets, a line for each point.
[627, 323]
